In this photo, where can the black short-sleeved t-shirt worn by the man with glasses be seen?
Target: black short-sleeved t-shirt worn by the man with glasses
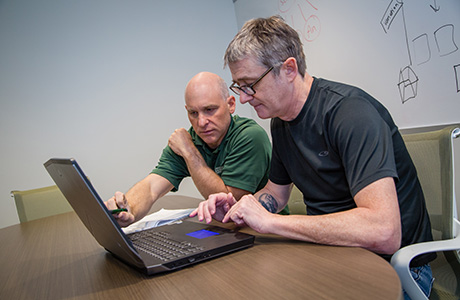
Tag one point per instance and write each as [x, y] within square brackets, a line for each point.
[341, 141]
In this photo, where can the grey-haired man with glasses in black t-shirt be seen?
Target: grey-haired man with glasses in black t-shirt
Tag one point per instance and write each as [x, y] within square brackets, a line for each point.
[335, 142]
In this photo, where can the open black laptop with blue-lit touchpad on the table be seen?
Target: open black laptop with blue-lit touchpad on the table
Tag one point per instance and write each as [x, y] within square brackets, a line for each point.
[152, 251]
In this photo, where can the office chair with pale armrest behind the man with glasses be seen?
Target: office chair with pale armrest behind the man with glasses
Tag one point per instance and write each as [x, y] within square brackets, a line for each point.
[432, 154]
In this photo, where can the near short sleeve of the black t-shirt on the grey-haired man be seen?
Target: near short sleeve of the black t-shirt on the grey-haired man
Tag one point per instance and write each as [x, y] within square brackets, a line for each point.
[363, 141]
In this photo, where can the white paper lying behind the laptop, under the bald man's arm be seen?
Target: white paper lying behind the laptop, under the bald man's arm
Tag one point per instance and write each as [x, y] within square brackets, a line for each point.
[159, 218]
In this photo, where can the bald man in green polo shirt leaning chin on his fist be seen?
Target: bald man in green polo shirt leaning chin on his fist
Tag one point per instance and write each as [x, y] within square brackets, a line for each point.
[221, 152]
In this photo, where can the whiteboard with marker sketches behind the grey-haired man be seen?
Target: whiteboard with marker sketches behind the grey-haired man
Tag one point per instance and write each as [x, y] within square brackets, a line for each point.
[404, 53]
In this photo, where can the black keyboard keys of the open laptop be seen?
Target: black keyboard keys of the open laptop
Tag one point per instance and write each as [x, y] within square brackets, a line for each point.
[161, 246]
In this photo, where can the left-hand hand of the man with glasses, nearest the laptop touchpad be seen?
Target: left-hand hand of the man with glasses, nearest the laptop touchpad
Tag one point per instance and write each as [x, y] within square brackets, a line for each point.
[215, 207]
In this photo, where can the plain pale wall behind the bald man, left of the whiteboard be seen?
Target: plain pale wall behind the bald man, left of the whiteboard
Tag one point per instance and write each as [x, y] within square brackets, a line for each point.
[101, 81]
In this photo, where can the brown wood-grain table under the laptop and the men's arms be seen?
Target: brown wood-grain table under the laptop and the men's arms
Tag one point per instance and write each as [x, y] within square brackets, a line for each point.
[57, 258]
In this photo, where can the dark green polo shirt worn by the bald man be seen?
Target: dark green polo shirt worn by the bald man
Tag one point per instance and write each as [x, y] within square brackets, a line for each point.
[242, 160]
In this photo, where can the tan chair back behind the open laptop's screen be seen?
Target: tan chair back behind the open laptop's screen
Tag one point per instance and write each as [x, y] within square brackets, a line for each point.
[39, 203]
